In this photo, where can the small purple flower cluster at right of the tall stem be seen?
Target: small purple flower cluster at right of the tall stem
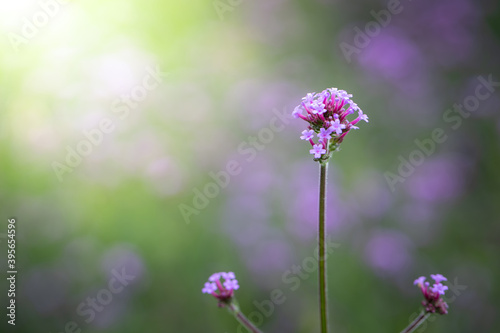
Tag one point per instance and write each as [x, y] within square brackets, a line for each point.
[433, 301]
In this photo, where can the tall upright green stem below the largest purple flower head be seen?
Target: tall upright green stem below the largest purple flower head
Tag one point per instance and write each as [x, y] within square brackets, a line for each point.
[322, 248]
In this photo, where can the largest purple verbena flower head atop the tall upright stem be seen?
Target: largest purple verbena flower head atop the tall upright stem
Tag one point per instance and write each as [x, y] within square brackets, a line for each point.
[326, 114]
